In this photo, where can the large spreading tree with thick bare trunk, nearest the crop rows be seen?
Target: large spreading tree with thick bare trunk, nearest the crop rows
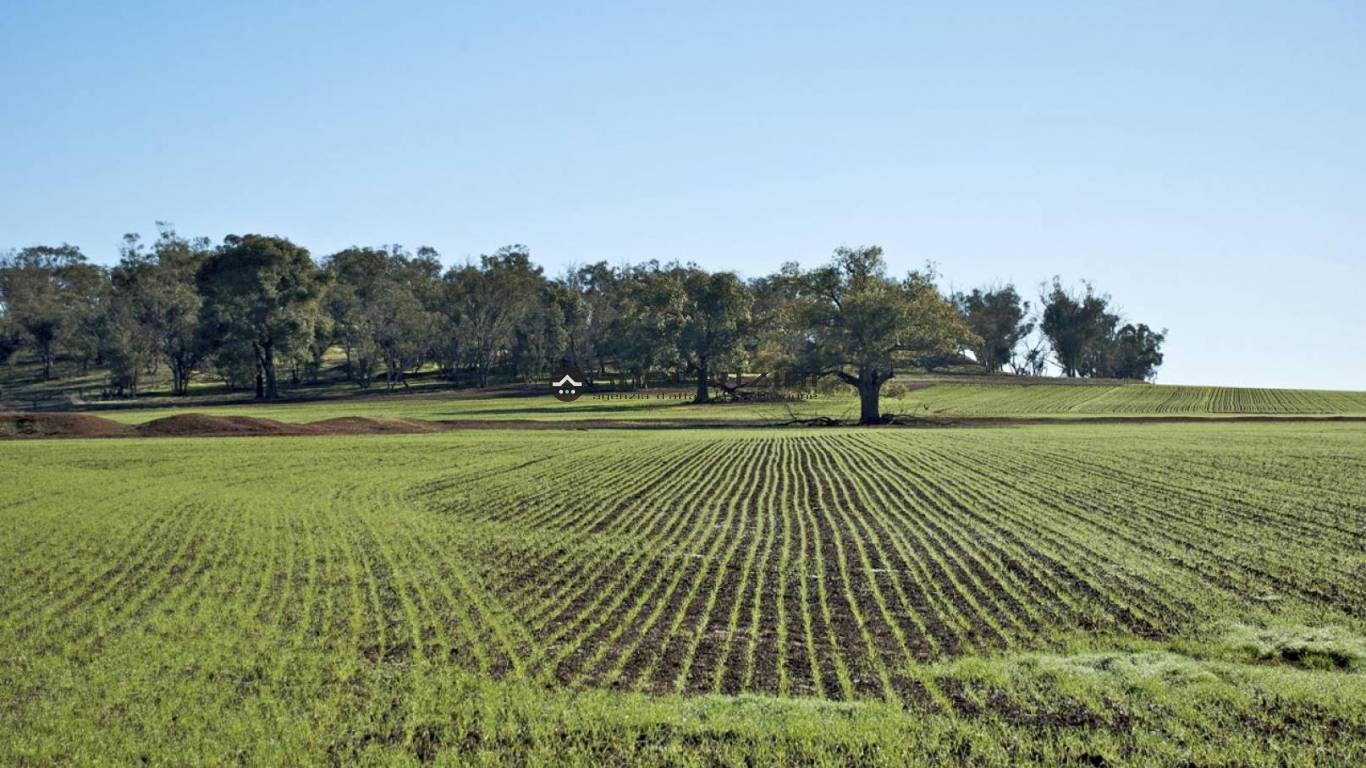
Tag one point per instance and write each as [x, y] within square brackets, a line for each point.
[861, 325]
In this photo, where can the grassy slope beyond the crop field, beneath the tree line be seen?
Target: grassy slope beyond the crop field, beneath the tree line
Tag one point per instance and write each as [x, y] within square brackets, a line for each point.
[432, 398]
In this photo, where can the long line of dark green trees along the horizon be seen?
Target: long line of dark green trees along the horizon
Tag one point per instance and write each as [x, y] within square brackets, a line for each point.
[259, 312]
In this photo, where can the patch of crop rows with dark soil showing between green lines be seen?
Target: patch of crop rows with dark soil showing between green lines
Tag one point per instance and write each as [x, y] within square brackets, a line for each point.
[833, 564]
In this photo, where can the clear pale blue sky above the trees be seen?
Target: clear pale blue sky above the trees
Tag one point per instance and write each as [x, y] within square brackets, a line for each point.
[1204, 163]
